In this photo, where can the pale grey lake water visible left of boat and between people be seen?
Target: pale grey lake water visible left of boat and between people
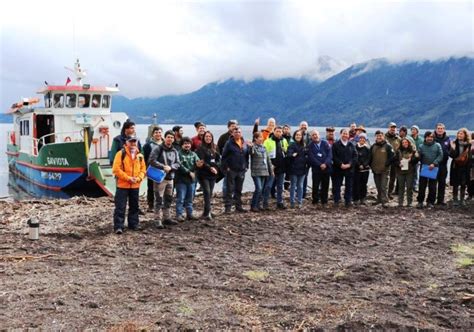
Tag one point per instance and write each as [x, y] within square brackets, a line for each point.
[7, 190]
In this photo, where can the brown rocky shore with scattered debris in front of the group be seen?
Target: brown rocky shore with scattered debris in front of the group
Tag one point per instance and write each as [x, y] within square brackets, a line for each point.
[347, 268]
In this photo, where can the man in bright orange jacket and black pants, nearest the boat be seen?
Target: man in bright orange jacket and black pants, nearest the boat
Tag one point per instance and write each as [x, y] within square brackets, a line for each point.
[129, 169]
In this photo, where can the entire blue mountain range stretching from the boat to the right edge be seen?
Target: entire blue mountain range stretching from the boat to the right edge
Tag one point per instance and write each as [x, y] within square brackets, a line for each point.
[372, 93]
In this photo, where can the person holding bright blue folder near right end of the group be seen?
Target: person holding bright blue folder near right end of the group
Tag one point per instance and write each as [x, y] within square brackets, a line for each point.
[431, 154]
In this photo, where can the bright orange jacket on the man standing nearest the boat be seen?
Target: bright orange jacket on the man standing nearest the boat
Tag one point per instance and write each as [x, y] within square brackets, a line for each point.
[126, 168]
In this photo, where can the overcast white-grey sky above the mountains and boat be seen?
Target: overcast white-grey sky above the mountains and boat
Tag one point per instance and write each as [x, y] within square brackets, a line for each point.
[175, 47]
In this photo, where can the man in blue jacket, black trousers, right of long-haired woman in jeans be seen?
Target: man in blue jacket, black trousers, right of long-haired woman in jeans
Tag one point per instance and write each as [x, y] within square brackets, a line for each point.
[320, 161]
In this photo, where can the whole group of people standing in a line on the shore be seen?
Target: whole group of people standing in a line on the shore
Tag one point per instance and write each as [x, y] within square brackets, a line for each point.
[401, 163]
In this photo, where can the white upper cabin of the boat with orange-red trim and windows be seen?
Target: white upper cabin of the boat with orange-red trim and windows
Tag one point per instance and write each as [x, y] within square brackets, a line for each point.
[67, 113]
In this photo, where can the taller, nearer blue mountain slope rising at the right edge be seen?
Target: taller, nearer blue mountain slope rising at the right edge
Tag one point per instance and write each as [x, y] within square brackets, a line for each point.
[377, 92]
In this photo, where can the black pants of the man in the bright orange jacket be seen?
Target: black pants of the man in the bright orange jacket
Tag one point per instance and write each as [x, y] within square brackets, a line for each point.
[121, 197]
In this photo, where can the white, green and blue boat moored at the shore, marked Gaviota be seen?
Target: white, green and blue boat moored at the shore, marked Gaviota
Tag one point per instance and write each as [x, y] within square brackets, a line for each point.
[64, 145]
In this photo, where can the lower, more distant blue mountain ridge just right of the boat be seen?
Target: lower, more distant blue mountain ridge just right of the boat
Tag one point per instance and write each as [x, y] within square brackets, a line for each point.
[216, 103]
